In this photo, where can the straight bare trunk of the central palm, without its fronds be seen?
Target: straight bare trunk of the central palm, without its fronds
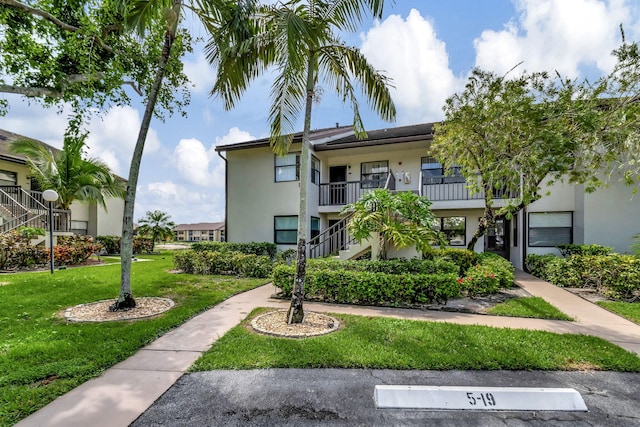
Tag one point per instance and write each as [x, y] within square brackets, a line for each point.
[296, 311]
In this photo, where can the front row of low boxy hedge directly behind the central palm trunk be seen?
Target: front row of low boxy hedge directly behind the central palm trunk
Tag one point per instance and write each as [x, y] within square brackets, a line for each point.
[364, 287]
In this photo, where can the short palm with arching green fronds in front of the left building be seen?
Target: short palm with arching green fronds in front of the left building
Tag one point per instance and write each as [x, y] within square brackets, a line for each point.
[69, 172]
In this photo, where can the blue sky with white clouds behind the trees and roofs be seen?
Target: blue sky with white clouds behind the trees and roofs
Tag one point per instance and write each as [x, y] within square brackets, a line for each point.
[426, 47]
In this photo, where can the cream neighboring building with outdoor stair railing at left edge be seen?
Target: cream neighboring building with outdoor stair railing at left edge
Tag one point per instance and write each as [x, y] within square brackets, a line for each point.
[21, 202]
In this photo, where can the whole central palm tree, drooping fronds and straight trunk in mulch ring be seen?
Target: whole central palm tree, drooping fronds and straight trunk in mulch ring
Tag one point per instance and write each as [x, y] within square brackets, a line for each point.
[300, 38]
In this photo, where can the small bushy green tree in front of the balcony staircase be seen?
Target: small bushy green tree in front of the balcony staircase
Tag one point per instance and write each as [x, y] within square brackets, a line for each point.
[401, 219]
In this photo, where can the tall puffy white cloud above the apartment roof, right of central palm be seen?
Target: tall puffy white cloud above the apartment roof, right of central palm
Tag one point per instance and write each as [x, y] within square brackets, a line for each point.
[410, 52]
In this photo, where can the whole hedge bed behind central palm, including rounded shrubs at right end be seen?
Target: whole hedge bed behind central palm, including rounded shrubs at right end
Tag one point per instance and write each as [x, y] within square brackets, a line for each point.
[400, 282]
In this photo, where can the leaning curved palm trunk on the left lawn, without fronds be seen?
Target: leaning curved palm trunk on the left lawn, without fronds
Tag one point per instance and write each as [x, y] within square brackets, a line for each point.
[125, 300]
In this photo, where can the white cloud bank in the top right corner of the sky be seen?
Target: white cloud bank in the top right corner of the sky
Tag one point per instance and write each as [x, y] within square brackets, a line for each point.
[562, 35]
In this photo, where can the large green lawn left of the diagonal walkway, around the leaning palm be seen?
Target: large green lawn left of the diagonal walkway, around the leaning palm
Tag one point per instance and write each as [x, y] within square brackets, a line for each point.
[42, 356]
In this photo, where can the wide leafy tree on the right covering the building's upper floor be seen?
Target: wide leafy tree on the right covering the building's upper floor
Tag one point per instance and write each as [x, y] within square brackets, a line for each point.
[509, 134]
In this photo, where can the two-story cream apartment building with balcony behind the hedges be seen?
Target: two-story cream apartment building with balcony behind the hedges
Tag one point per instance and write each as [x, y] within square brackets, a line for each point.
[262, 196]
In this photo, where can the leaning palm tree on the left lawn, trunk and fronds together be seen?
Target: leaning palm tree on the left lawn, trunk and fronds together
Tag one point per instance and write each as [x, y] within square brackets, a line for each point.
[140, 15]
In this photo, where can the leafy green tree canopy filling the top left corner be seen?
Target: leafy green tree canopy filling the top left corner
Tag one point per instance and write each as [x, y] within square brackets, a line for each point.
[79, 53]
